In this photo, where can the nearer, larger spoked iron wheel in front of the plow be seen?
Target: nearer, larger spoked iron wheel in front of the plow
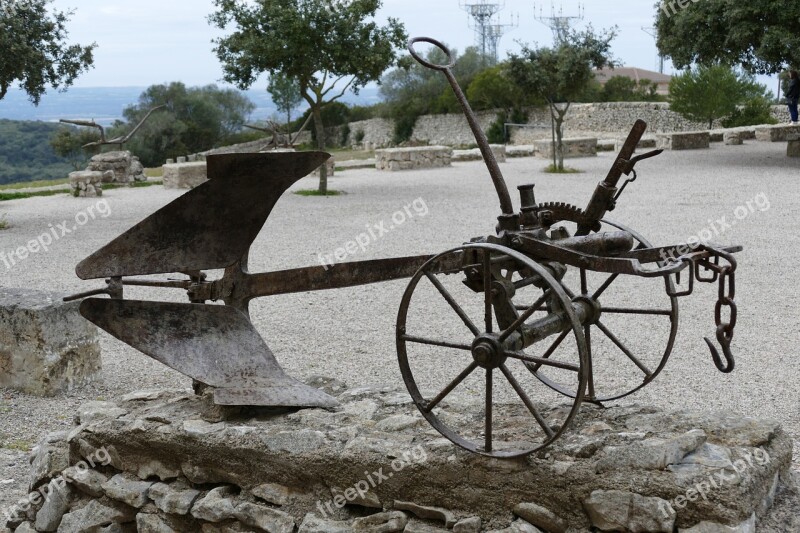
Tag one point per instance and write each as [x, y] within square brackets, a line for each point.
[488, 355]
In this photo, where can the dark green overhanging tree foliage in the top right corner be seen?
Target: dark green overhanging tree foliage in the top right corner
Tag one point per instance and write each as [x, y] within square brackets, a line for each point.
[762, 36]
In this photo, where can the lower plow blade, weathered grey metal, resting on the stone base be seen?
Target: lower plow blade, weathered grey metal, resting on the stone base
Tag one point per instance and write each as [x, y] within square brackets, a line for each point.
[214, 344]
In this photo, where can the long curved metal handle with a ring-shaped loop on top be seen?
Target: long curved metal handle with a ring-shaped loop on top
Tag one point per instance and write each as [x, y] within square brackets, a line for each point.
[483, 143]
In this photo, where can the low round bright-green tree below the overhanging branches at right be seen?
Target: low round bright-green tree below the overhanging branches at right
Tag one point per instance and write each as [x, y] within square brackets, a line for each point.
[707, 93]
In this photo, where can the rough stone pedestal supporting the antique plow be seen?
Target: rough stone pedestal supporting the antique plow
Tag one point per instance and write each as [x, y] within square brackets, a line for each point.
[170, 460]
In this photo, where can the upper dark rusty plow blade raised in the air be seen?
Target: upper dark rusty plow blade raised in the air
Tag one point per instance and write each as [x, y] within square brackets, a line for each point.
[211, 226]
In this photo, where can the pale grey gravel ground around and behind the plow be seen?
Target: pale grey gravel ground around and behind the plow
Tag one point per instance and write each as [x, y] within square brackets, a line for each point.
[349, 333]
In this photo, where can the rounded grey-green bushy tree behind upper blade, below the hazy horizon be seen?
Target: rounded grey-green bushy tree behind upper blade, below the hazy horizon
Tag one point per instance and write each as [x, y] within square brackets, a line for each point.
[195, 119]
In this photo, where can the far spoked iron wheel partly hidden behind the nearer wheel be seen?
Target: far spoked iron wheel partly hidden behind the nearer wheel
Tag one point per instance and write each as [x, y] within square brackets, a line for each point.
[649, 367]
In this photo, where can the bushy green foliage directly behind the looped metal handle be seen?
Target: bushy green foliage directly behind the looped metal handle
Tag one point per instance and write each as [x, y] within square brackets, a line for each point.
[412, 90]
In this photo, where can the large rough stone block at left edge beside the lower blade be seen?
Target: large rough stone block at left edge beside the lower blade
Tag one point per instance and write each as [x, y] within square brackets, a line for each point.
[46, 346]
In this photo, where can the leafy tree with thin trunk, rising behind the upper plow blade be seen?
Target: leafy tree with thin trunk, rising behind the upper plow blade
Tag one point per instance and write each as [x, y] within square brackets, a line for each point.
[327, 46]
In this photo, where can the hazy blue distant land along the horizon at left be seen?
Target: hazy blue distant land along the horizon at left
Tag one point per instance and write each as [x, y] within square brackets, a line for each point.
[105, 104]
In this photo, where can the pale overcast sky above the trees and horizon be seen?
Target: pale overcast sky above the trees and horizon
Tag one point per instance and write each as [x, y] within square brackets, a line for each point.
[144, 42]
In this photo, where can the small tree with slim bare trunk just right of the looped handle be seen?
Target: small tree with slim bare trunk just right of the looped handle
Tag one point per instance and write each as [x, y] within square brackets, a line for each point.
[560, 75]
